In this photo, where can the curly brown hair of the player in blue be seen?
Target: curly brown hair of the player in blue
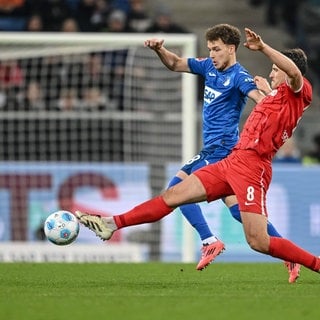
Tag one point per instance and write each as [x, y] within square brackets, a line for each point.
[226, 32]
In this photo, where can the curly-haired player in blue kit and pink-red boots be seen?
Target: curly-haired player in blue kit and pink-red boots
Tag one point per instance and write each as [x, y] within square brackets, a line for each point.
[227, 86]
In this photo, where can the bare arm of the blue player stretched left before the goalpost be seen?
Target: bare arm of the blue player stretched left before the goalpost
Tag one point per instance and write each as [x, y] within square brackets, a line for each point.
[171, 60]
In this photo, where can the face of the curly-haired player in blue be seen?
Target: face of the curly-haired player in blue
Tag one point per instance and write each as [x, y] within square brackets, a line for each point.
[222, 55]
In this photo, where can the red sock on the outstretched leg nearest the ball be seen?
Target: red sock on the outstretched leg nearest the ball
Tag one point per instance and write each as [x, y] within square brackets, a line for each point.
[149, 211]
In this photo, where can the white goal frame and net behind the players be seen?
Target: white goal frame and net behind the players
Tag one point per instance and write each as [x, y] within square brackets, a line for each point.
[91, 122]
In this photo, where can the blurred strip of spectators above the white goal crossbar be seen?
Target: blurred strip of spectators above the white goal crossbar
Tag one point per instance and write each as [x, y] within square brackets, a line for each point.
[86, 16]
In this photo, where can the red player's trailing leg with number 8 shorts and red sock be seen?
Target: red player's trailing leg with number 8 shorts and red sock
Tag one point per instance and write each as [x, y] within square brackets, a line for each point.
[251, 188]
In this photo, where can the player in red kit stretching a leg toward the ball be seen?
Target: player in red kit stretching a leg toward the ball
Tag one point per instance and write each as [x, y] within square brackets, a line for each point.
[247, 171]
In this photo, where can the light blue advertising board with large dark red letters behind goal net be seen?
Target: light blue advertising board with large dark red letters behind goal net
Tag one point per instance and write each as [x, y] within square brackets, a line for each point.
[29, 192]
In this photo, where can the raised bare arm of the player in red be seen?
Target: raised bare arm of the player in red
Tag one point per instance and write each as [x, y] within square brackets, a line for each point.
[254, 42]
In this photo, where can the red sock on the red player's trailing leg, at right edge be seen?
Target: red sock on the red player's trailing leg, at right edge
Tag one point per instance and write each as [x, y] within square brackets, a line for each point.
[286, 250]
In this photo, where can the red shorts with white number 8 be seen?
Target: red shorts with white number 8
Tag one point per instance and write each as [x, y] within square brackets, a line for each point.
[242, 173]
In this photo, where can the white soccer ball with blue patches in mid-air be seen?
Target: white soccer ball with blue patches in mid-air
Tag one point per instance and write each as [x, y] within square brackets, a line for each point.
[61, 228]
